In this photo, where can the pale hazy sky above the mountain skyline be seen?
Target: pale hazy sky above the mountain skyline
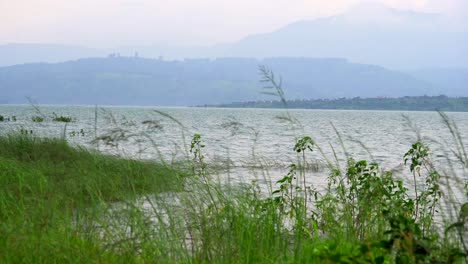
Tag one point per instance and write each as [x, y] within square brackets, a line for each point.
[112, 23]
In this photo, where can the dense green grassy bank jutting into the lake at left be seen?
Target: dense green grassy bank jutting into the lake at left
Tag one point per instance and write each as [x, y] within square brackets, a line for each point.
[48, 188]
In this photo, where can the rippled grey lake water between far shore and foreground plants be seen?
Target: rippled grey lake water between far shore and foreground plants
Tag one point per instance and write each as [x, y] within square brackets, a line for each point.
[240, 138]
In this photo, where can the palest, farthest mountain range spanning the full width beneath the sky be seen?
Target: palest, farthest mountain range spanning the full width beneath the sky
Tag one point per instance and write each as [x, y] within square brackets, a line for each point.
[370, 33]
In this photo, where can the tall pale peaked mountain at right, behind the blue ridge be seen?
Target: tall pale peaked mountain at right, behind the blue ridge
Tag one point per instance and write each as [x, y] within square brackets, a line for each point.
[367, 34]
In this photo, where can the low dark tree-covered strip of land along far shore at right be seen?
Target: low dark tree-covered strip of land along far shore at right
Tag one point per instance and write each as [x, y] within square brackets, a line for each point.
[410, 103]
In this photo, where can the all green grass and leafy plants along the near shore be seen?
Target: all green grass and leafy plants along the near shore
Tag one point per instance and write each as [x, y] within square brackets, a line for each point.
[60, 204]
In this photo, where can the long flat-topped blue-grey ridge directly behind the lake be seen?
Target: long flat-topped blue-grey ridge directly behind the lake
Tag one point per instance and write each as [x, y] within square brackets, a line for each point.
[138, 81]
